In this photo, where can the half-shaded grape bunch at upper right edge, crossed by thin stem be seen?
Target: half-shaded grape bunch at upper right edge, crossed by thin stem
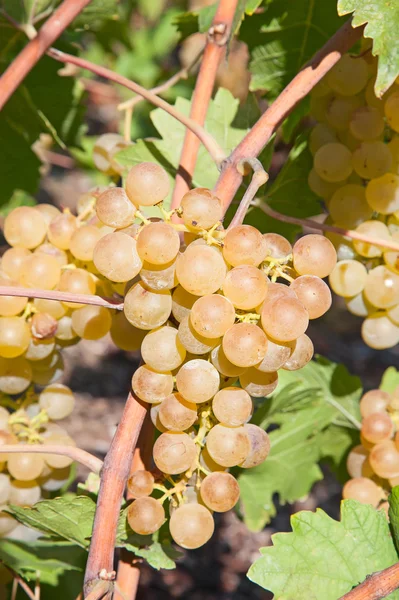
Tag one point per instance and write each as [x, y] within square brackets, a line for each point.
[355, 146]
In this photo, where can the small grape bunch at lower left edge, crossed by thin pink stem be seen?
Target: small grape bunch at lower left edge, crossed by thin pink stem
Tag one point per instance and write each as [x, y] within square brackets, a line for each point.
[27, 477]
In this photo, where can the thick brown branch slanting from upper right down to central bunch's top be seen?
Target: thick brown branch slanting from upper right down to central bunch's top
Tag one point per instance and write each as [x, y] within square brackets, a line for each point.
[257, 138]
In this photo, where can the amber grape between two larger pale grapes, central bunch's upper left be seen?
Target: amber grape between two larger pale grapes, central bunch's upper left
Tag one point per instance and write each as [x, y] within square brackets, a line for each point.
[158, 243]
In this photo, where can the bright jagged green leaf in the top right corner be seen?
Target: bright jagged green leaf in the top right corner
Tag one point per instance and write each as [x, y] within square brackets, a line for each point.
[382, 20]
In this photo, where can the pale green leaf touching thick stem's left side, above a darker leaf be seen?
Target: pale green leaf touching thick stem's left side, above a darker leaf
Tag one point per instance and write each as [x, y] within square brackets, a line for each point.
[67, 518]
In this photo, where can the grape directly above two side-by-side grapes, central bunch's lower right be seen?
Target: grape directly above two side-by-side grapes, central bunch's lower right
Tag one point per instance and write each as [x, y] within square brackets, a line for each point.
[232, 406]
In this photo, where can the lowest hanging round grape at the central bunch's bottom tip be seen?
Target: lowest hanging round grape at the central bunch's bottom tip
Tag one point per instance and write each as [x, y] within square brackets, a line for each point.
[191, 526]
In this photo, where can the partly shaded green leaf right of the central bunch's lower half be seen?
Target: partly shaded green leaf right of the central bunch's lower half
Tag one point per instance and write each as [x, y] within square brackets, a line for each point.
[305, 404]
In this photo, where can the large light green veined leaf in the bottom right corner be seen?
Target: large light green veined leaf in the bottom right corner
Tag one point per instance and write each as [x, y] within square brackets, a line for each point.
[323, 559]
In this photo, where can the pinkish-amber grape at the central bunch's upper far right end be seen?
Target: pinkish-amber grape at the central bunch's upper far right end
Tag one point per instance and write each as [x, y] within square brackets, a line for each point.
[314, 255]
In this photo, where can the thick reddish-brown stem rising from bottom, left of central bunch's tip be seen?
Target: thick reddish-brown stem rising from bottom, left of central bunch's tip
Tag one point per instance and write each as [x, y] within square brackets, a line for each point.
[114, 475]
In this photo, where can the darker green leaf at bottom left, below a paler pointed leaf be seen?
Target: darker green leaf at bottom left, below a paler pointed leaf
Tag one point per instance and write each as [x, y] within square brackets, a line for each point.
[46, 559]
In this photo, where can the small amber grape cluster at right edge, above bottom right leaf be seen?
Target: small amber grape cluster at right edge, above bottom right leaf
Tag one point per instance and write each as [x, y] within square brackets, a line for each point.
[374, 464]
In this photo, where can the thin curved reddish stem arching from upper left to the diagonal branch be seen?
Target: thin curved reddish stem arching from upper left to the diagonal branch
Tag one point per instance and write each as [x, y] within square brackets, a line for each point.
[206, 138]
